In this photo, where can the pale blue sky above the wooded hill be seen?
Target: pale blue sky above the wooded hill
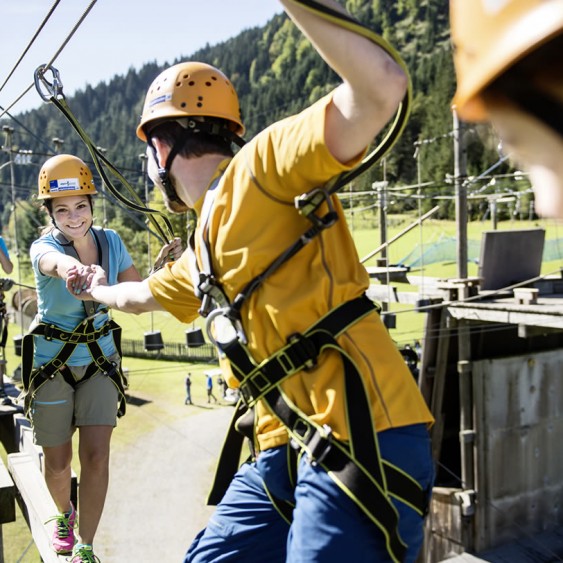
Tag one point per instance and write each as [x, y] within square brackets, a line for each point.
[115, 36]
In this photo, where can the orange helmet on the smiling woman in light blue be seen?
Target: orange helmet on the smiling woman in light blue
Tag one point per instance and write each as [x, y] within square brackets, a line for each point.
[64, 175]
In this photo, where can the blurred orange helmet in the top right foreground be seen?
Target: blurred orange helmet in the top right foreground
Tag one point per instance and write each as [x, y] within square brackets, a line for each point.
[489, 37]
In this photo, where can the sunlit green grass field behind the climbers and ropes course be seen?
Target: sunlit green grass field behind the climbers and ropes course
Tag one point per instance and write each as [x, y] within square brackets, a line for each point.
[161, 383]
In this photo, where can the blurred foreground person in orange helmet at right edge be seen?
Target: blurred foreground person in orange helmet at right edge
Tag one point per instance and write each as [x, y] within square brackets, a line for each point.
[507, 58]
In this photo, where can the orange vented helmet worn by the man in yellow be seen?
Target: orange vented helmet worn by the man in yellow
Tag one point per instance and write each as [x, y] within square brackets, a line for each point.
[191, 89]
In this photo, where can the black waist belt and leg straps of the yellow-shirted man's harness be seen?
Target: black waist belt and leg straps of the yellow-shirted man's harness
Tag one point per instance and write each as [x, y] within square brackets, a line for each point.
[356, 466]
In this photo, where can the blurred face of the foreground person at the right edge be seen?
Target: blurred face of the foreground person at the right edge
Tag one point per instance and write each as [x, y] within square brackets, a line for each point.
[537, 149]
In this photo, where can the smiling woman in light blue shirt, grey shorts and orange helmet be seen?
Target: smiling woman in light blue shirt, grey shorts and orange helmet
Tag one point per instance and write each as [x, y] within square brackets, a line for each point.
[71, 361]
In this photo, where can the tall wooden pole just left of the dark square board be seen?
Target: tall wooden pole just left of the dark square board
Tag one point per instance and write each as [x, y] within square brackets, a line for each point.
[460, 174]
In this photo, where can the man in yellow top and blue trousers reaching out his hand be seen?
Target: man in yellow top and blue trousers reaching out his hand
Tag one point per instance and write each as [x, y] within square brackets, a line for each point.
[342, 467]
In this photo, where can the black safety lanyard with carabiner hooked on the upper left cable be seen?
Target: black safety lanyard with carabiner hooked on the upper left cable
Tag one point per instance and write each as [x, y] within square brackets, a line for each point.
[54, 93]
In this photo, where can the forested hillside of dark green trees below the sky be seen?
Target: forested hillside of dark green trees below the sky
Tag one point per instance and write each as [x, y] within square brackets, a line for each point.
[276, 73]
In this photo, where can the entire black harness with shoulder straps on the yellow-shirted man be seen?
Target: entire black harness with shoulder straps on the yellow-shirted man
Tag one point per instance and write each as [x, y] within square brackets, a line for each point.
[356, 466]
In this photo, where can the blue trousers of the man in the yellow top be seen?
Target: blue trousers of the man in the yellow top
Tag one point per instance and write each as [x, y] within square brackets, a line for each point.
[327, 526]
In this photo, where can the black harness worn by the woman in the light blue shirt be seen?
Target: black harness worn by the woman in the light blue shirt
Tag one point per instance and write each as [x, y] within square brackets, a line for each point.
[84, 333]
